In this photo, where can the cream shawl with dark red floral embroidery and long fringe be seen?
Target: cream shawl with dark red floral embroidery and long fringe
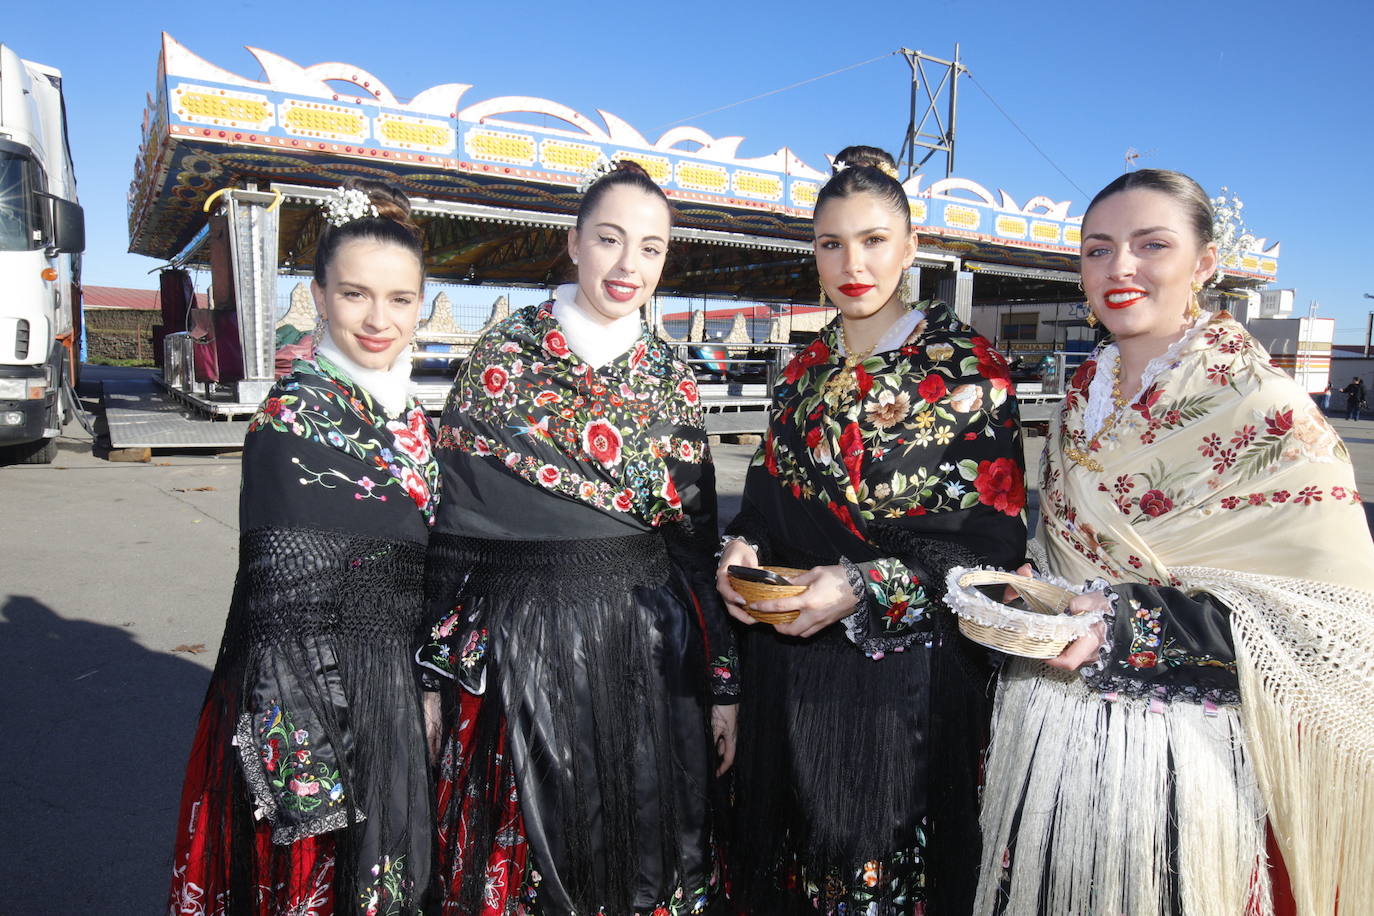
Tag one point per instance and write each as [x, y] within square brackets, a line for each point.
[1225, 479]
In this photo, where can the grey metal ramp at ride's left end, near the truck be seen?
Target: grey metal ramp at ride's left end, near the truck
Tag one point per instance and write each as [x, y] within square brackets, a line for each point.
[141, 414]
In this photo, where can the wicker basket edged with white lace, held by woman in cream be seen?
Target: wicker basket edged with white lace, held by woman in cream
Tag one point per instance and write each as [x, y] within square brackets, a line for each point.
[1017, 630]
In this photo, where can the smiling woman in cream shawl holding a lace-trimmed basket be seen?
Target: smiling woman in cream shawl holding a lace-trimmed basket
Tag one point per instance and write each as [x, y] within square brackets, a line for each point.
[1232, 675]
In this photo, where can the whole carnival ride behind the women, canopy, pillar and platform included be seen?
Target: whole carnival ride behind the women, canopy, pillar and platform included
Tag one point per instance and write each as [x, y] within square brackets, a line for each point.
[232, 174]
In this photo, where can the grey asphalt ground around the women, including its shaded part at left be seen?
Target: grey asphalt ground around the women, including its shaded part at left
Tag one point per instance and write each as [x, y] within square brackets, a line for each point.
[116, 579]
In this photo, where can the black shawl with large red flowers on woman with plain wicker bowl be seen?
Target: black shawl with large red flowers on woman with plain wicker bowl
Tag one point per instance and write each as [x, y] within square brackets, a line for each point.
[923, 459]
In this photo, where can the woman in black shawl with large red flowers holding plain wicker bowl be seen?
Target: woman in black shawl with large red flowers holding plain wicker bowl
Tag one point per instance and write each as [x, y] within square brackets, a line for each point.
[892, 454]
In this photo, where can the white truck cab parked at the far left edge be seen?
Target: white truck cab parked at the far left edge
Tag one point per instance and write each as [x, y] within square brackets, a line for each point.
[42, 238]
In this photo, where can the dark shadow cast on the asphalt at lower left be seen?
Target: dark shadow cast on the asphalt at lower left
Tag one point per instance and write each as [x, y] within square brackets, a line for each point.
[97, 730]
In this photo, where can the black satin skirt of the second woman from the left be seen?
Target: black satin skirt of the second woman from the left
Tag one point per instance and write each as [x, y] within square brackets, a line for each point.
[594, 689]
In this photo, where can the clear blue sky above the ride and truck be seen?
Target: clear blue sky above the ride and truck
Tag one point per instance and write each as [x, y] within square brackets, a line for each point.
[1272, 100]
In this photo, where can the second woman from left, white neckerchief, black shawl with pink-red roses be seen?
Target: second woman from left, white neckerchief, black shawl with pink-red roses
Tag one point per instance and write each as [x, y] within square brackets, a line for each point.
[574, 602]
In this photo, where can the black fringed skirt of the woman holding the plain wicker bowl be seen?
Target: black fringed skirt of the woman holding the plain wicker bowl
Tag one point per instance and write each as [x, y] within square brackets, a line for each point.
[857, 779]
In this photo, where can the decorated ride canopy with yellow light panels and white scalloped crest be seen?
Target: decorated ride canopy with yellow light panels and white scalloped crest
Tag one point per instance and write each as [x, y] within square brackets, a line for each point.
[494, 194]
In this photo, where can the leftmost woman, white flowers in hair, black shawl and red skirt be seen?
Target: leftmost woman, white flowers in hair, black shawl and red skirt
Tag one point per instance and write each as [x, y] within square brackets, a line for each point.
[308, 785]
